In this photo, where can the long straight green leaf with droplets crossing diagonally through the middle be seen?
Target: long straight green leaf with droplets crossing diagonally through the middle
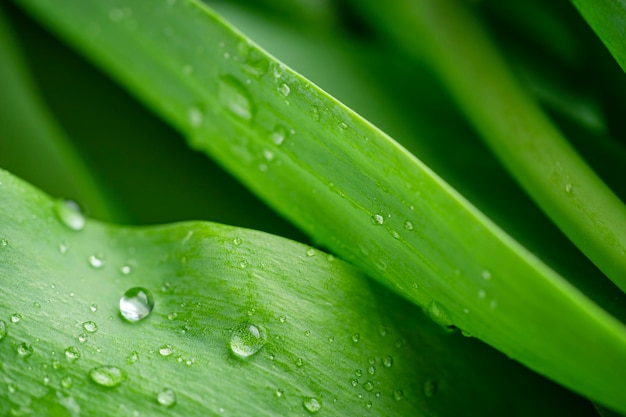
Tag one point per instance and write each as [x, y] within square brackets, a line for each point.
[347, 185]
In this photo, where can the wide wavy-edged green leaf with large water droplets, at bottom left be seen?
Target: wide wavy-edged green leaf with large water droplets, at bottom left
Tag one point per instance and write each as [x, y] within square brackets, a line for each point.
[325, 331]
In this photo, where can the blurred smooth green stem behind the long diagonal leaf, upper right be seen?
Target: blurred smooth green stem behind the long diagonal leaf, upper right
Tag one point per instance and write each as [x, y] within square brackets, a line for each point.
[513, 126]
